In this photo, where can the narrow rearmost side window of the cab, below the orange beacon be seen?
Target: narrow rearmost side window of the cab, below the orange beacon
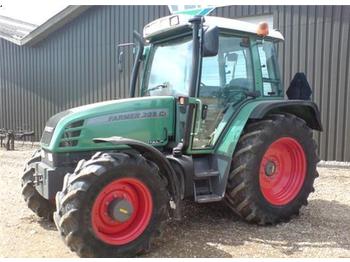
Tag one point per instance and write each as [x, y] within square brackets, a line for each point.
[269, 69]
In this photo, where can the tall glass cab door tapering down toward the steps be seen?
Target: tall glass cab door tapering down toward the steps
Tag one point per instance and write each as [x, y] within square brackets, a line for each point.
[224, 80]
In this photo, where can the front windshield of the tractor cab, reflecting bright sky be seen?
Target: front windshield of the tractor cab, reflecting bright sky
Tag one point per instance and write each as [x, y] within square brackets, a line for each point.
[168, 73]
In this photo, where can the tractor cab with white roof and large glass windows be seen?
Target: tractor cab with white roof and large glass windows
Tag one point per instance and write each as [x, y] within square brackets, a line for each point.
[234, 62]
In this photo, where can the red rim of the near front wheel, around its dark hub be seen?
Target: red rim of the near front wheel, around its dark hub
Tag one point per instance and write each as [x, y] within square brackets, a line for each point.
[137, 195]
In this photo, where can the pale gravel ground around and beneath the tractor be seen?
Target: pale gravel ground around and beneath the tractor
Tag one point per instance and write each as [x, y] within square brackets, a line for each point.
[322, 229]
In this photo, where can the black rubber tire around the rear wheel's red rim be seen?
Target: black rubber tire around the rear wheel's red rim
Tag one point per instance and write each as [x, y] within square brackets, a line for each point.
[240, 196]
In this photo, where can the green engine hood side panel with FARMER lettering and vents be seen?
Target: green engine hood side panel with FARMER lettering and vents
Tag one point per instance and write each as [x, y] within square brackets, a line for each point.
[147, 119]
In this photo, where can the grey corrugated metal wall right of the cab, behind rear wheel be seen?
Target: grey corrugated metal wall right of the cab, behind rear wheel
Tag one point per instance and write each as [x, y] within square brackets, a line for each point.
[316, 42]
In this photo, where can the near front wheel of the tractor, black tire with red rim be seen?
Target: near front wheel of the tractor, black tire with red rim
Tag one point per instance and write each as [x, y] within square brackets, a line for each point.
[87, 229]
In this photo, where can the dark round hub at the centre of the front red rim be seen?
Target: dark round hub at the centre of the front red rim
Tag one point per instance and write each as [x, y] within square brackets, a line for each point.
[120, 210]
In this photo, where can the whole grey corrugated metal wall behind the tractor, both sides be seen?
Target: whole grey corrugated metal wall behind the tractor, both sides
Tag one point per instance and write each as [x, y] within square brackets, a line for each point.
[78, 64]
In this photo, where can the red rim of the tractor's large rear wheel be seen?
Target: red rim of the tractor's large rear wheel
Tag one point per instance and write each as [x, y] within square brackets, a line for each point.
[282, 171]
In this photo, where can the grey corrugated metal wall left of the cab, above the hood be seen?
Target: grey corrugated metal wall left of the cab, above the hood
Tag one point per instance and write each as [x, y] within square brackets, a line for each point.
[75, 65]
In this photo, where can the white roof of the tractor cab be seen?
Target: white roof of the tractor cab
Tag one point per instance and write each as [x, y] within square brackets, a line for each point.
[180, 21]
